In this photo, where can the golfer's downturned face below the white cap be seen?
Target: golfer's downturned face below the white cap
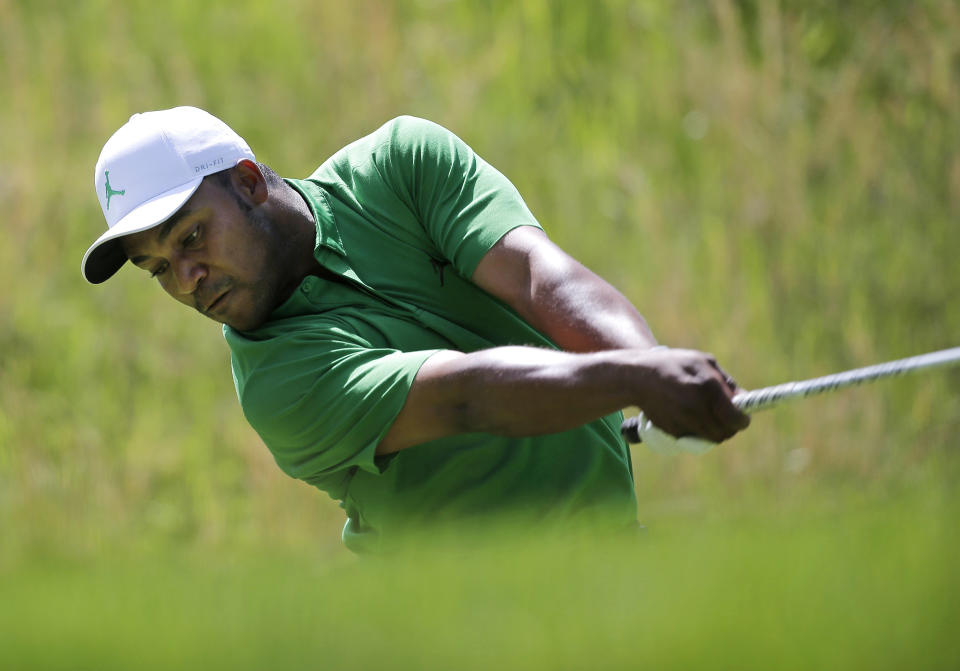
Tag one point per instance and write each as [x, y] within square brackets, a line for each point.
[217, 255]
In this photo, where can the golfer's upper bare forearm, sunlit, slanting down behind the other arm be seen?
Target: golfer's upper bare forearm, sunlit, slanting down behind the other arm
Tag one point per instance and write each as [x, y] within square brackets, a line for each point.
[558, 296]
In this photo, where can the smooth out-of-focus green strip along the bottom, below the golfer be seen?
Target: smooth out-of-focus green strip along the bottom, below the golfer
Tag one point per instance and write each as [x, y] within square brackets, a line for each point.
[871, 589]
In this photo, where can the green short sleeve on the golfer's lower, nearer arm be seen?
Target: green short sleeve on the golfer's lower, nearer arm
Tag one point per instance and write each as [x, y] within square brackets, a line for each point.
[322, 404]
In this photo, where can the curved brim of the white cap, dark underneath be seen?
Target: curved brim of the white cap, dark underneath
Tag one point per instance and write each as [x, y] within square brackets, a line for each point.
[106, 256]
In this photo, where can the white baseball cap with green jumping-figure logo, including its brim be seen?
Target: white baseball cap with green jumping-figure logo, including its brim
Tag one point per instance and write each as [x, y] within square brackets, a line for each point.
[148, 169]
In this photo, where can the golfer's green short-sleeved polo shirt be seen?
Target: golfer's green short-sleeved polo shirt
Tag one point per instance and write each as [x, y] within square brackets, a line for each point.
[403, 217]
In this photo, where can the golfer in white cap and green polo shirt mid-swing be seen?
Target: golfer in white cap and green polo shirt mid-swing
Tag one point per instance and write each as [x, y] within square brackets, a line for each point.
[403, 334]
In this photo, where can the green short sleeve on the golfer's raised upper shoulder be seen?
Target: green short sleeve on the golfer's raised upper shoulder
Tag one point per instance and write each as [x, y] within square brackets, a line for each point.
[464, 203]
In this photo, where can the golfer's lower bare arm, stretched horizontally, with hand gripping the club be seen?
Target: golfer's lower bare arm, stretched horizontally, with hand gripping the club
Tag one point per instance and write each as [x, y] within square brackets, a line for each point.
[521, 391]
